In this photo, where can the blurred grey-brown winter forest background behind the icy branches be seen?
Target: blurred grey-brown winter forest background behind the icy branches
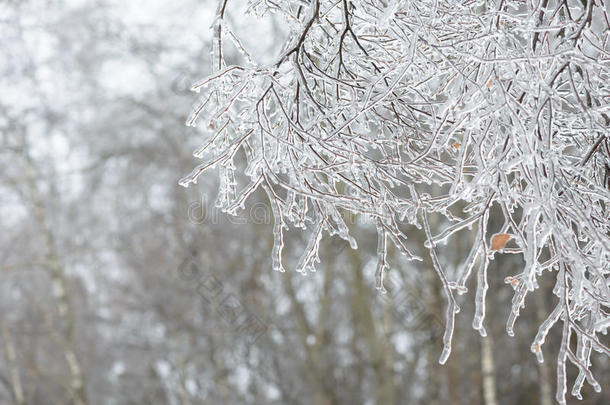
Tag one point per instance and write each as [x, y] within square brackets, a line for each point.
[117, 286]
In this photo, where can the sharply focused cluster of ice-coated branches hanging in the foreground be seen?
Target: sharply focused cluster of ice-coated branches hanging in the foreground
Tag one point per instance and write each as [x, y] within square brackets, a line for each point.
[399, 110]
